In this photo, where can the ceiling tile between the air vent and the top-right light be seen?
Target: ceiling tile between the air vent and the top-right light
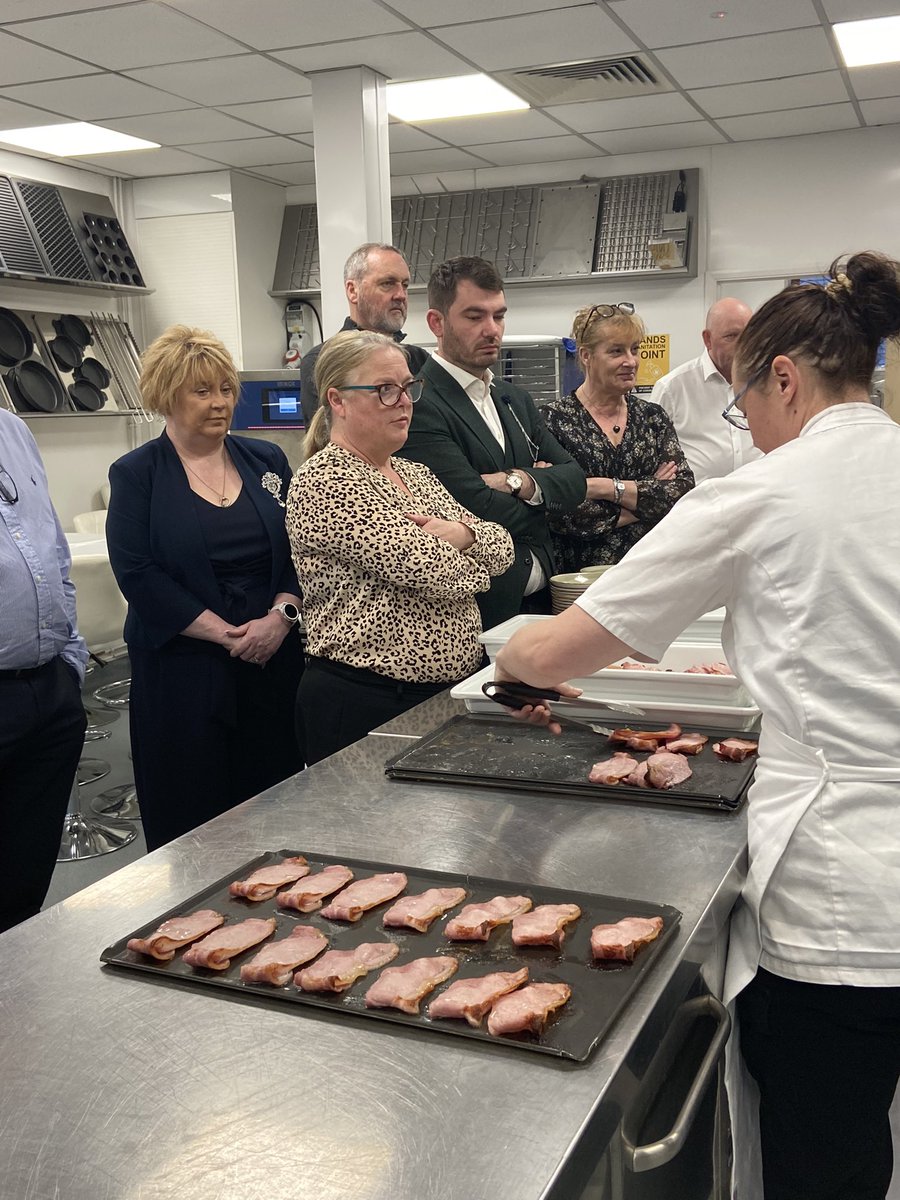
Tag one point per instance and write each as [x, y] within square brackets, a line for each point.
[765, 57]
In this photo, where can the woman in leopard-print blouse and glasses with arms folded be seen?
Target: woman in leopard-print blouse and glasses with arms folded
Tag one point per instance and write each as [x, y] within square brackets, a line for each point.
[389, 563]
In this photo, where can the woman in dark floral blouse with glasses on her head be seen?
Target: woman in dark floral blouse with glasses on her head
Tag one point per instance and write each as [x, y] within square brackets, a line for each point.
[626, 446]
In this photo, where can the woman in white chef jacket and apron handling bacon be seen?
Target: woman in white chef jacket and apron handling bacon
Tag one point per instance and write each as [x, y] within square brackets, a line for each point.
[803, 549]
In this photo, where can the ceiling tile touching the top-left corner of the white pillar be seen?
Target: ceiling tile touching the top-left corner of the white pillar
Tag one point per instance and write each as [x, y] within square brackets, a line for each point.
[226, 81]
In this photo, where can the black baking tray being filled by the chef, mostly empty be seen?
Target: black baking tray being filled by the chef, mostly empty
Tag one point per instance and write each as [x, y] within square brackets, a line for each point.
[501, 752]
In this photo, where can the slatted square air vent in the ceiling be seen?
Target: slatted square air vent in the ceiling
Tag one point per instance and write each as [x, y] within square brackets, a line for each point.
[566, 83]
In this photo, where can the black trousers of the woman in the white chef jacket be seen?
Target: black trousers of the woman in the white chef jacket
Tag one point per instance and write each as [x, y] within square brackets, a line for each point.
[826, 1060]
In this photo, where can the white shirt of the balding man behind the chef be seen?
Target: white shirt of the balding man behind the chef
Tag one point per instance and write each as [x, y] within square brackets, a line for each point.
[694, 397]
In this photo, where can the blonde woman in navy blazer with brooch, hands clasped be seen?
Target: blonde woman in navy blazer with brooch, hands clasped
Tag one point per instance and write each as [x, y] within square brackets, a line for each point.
[197, 542]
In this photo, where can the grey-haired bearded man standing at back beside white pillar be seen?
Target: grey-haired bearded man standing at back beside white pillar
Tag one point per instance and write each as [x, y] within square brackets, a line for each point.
[376, 279]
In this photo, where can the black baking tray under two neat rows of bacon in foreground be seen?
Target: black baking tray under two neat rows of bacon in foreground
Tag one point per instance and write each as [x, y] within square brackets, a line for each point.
[599, 991]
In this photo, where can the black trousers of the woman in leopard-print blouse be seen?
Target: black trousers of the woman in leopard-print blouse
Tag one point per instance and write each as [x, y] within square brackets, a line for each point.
[338, 705]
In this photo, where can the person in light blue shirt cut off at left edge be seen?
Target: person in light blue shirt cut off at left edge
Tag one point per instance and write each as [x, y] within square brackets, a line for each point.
[43, 661]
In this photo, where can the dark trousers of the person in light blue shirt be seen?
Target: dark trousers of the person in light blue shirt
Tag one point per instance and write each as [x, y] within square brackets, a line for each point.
[43, 729]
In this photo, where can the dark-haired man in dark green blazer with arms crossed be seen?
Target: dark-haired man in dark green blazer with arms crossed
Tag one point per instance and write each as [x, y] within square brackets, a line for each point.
[485, 440]
